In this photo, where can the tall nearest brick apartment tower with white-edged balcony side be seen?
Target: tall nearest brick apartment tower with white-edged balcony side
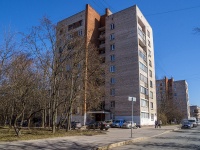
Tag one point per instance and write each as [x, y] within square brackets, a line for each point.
[125, 40]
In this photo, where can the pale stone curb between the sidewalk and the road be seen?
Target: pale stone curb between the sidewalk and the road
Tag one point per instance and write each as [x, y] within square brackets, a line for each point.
[130, 141]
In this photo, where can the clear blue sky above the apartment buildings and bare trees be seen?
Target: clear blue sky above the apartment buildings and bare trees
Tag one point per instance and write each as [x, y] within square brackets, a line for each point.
[176, 44]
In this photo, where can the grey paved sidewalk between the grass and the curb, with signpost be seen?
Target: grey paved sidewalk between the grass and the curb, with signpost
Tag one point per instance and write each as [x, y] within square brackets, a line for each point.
[114, 137]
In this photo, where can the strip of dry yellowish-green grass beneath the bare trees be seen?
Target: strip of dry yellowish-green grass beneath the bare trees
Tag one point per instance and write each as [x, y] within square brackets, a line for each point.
[7, 135]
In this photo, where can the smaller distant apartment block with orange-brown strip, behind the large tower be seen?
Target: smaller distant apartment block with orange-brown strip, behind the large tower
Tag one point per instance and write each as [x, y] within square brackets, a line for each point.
[176, 93]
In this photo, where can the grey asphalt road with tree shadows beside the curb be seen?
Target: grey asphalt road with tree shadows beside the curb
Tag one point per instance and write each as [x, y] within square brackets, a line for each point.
[183, 139]
